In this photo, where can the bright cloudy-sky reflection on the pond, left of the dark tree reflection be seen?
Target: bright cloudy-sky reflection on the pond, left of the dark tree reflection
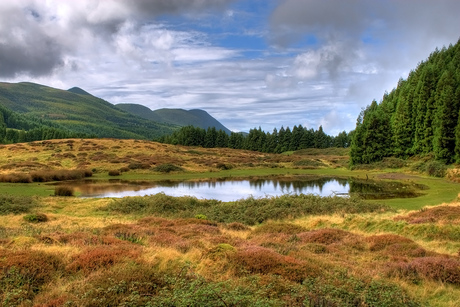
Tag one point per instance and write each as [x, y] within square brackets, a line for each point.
[223, 190]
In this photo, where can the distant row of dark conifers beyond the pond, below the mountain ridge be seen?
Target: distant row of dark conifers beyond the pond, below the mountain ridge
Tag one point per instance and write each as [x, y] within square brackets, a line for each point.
[278, 141]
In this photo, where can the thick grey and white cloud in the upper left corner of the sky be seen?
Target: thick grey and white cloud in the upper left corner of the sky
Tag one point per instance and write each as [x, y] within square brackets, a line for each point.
[37, 37]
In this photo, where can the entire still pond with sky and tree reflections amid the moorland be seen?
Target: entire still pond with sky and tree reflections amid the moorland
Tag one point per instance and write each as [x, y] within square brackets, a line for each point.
[231, 190]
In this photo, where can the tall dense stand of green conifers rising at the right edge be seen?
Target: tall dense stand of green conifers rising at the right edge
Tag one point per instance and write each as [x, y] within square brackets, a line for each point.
[419, 117]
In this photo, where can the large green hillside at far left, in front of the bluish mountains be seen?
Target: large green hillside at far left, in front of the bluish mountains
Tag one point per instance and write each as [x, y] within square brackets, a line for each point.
[77, 111]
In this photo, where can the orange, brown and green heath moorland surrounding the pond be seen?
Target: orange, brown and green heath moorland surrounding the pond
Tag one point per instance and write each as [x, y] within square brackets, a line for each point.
[181, 251]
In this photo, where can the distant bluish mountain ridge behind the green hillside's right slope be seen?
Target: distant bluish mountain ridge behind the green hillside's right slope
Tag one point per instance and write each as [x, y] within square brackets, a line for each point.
[179, 117]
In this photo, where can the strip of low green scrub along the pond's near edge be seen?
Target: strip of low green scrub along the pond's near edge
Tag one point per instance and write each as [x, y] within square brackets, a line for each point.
[249, 211]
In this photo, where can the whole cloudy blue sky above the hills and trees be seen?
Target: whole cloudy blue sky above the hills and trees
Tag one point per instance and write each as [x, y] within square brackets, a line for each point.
[248, 63]
